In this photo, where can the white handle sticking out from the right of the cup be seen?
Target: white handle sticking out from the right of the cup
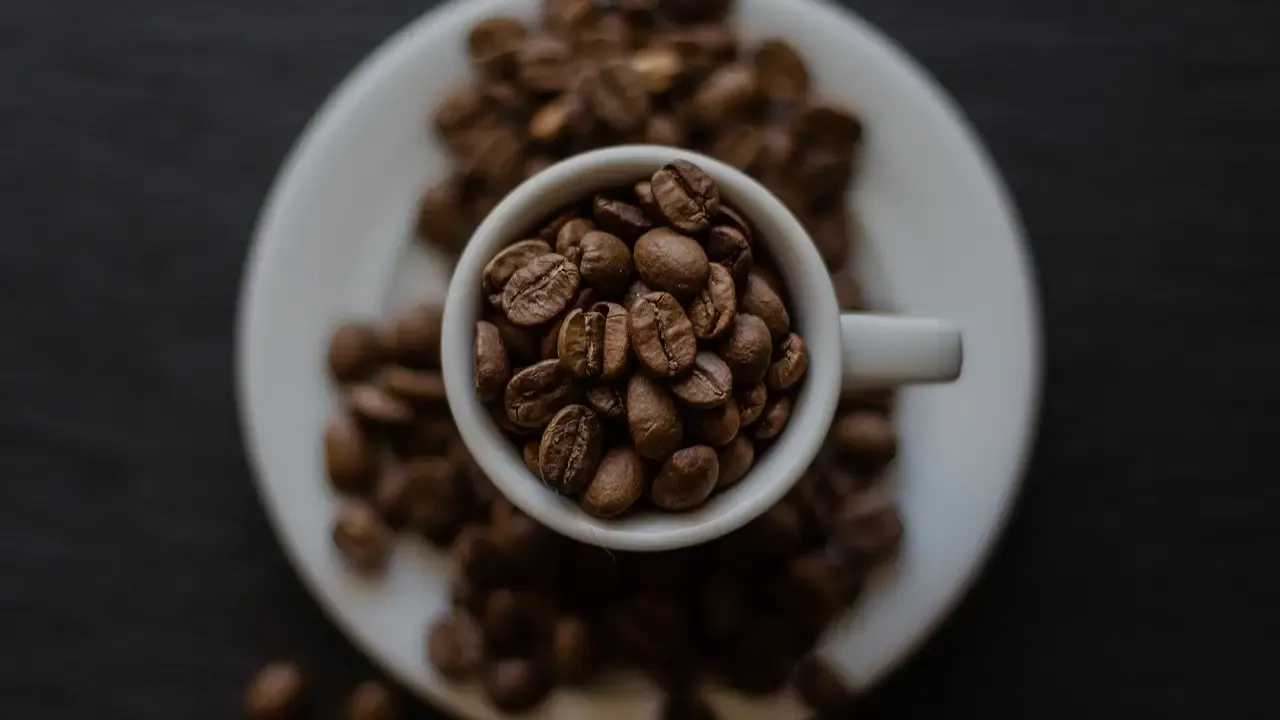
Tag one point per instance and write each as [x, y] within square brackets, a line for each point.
[884, 352]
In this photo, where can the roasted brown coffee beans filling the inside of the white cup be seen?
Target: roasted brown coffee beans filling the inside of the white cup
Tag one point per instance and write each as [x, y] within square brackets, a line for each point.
[666, 388]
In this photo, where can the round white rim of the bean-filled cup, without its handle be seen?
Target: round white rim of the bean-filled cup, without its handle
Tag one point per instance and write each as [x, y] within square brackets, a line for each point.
[772, 476]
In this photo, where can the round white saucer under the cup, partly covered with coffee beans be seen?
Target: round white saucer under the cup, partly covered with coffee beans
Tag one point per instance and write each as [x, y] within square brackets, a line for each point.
[941, 239]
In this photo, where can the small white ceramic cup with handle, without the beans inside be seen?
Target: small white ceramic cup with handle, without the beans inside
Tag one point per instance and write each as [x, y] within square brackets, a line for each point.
[845, 352]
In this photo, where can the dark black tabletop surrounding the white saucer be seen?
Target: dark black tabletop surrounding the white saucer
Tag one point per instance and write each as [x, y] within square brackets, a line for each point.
[139, 577]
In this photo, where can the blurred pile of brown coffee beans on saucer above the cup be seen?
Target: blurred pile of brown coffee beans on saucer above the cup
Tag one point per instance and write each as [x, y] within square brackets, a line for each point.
[593, 74]
